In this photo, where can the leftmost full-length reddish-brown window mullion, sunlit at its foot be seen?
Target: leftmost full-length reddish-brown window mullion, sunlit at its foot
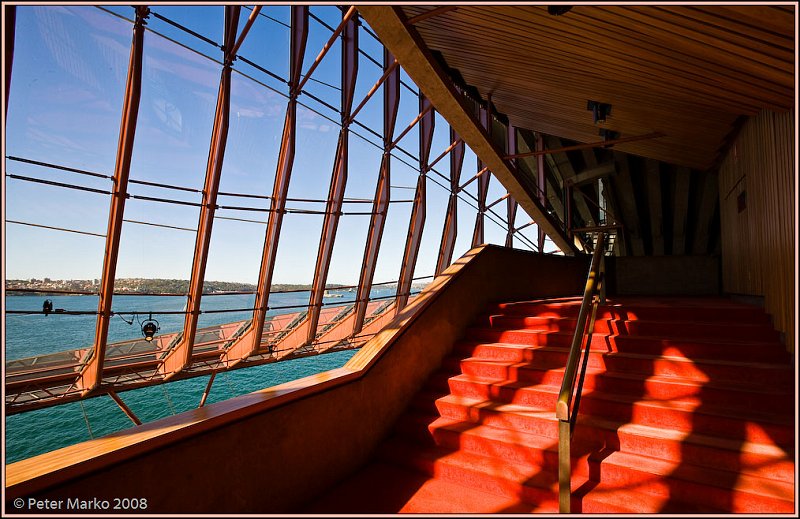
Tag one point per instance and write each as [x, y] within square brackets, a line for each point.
[92, 373]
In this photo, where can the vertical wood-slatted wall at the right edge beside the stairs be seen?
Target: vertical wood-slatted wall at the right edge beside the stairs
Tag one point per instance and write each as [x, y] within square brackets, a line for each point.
[758, 216]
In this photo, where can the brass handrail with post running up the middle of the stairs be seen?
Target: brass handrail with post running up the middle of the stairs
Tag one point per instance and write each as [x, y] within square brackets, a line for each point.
[563, 404]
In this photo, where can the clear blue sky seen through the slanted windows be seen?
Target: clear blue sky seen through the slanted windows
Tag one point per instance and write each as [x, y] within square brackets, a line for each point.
[70, 66]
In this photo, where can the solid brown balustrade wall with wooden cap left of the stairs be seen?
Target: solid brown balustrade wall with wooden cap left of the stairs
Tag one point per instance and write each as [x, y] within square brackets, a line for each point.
[270, 451]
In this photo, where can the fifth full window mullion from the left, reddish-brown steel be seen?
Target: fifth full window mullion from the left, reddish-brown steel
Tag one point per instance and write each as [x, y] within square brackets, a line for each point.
[391, 102]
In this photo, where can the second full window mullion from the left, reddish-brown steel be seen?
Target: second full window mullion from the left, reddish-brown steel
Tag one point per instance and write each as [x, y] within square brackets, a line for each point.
[180, 356]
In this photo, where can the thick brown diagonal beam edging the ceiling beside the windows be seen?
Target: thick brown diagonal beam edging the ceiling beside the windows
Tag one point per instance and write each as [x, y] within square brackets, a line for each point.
[404, 43]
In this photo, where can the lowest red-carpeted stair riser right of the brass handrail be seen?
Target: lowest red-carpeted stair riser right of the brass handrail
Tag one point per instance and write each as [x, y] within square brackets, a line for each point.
[690, 492]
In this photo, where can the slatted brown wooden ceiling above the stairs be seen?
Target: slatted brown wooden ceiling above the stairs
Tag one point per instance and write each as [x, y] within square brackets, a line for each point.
[687, 72]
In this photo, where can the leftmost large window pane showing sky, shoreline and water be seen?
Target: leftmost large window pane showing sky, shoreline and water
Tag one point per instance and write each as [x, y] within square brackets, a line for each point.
[64, 109]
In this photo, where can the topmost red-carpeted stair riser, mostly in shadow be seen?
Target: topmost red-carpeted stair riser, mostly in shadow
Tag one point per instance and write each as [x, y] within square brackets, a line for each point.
[630, 312]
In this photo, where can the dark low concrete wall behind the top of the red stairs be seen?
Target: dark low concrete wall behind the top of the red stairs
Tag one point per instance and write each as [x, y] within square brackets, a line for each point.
[663, 275]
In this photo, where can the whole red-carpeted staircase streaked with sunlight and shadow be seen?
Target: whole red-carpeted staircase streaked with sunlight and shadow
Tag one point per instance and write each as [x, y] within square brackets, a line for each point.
[687, 406]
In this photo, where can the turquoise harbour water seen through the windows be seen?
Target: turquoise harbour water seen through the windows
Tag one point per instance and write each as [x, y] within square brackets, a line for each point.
[44, 430]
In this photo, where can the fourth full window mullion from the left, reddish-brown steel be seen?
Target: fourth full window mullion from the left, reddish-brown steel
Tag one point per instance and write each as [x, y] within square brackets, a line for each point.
[338, 178]
